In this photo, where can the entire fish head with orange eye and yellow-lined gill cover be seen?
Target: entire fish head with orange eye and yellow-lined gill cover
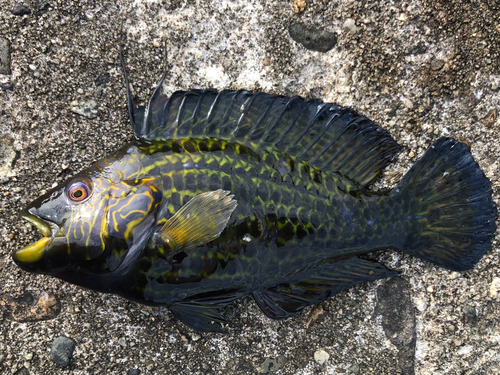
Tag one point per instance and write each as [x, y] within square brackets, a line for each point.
[87, 221]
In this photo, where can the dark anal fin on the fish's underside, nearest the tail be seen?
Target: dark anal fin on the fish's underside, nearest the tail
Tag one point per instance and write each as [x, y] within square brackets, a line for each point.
[286, 300]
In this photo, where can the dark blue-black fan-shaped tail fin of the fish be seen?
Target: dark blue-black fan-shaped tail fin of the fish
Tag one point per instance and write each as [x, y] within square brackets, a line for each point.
[453, 214]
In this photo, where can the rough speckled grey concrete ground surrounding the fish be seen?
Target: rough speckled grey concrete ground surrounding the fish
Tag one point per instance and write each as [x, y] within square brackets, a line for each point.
[421, 69]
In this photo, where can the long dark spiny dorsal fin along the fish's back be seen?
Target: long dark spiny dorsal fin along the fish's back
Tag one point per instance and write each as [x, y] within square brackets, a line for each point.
[327, 136]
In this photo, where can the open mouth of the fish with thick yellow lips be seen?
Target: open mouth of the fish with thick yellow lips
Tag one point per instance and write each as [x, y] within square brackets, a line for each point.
[34, 252]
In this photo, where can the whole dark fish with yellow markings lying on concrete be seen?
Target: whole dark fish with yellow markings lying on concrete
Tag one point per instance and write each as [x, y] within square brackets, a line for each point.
[224, 194]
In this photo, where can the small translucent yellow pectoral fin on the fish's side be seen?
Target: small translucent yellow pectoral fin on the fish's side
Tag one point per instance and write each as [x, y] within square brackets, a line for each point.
[199, 221]
